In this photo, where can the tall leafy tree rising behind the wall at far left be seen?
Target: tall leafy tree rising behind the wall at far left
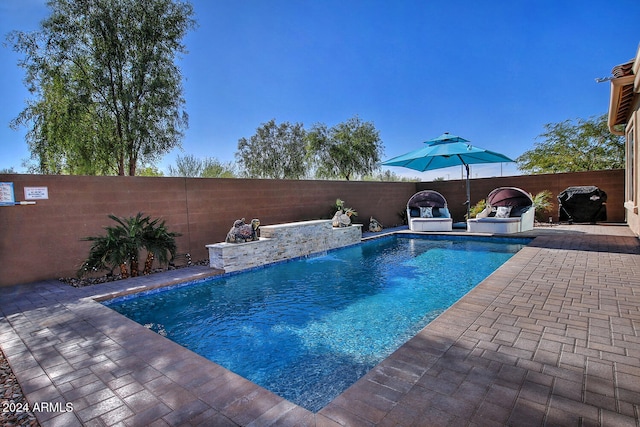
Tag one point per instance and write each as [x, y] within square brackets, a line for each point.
[108, 94]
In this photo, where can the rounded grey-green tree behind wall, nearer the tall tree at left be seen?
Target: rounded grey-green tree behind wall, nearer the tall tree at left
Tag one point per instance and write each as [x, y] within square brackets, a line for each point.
[275, 151]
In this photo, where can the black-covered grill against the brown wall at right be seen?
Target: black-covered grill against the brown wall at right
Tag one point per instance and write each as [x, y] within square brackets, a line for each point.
[582, 204]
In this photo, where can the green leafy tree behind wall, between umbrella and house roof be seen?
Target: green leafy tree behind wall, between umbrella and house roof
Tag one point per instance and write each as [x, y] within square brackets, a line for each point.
[568, 147]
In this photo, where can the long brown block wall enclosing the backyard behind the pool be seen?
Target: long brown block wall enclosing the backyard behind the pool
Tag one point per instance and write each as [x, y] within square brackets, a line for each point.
[43, 241]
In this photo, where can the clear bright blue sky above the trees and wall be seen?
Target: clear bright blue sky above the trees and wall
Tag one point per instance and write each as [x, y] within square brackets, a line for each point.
[492, 72]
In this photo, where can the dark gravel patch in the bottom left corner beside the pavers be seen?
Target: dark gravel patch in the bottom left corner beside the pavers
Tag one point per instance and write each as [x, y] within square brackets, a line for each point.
[12, 399]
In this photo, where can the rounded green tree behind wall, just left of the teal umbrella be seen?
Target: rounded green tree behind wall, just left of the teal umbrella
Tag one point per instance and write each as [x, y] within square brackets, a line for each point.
[346, 150]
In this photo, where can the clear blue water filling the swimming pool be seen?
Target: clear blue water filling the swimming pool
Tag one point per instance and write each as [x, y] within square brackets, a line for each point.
[309, 328]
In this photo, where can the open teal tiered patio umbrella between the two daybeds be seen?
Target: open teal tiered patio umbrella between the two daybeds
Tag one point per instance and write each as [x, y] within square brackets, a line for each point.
[445, 151]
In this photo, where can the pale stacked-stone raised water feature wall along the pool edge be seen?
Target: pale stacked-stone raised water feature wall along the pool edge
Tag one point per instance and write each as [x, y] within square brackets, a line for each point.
[281, 242]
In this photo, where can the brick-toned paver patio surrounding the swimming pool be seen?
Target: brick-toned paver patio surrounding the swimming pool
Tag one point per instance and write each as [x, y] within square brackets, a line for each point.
[551, 338]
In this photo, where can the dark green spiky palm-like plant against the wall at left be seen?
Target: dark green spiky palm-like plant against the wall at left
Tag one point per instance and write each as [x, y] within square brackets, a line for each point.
[122, 244]
